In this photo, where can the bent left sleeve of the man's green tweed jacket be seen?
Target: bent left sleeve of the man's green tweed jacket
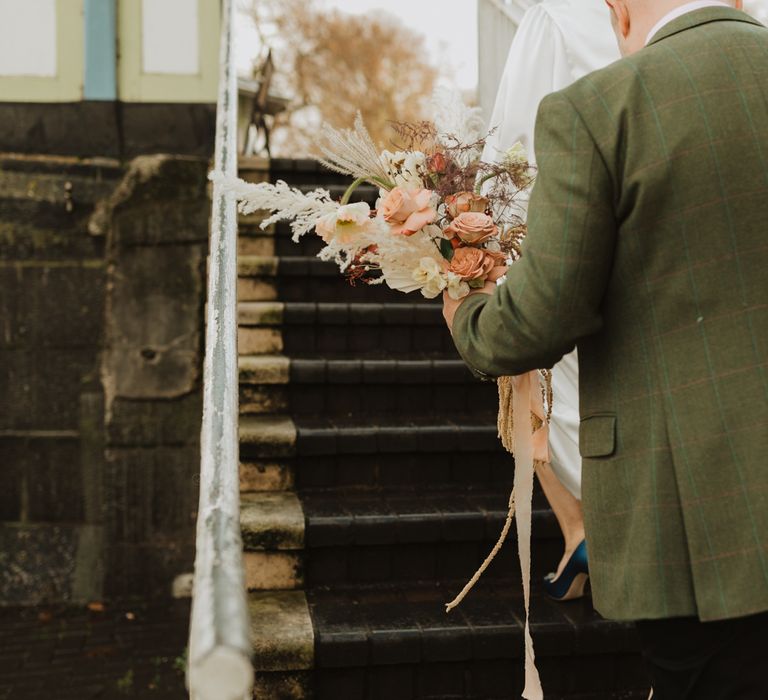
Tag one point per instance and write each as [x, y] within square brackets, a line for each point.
[553, 294]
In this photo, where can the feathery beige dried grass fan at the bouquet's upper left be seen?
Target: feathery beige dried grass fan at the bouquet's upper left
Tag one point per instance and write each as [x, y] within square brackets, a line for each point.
[353, 152]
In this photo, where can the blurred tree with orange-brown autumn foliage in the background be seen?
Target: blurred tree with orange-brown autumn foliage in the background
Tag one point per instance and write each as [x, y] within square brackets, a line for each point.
[332, 64]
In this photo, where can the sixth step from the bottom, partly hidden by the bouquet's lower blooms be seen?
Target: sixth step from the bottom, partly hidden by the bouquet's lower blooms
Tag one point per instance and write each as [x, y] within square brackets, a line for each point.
[297, 278]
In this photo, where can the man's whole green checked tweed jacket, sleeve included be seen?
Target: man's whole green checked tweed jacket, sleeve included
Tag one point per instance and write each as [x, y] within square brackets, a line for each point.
[648, 251]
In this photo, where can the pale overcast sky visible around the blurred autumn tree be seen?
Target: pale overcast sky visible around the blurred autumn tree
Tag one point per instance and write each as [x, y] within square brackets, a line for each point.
[450, 28]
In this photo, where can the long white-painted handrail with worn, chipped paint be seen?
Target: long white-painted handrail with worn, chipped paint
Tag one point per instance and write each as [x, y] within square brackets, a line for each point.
[219, 665]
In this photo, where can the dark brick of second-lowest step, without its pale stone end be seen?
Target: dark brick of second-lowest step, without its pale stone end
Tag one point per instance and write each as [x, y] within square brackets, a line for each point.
[354, 539]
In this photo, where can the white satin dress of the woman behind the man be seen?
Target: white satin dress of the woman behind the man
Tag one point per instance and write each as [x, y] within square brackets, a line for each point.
[558, 42]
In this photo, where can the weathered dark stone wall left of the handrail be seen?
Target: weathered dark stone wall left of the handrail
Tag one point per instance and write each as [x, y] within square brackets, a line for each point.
[102, 283]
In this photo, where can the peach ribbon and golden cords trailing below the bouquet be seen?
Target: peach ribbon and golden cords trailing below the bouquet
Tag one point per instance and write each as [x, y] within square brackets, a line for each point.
[524, 431]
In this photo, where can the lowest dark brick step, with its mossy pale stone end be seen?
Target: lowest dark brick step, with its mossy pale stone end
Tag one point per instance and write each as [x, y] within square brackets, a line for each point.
[397, 643]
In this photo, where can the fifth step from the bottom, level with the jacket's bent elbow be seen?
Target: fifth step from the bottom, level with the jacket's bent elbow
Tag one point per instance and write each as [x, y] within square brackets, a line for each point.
[320, 328]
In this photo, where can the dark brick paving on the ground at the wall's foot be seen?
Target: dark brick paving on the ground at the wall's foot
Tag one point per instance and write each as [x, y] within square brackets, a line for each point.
[120, 652]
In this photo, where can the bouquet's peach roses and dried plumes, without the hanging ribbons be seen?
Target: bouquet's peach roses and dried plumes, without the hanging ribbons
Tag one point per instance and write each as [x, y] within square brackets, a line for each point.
[444, 220]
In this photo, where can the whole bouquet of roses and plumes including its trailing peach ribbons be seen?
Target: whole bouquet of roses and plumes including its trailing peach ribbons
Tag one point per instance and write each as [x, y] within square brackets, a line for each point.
[445, 221]
